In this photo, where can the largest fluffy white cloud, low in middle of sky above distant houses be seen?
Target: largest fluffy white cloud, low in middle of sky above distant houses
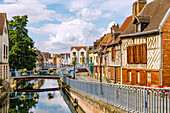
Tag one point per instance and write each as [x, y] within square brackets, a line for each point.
[63, 36]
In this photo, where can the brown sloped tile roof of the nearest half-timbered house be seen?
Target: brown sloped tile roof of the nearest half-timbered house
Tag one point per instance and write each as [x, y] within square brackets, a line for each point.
[156, 10]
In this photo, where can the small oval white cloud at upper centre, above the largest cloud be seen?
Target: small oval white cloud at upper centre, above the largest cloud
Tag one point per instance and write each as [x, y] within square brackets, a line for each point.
[89, 14]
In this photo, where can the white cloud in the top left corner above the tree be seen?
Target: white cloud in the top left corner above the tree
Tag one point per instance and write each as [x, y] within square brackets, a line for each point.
[35, 10]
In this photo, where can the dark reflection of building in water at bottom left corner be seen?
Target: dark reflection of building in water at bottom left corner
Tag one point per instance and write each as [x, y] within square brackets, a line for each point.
[4, 105]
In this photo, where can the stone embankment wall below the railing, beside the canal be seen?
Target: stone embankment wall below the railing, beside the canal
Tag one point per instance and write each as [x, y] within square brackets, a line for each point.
[90, 104]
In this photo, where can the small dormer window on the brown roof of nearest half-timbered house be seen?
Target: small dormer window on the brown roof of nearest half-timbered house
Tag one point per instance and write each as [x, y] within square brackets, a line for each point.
[141, 23]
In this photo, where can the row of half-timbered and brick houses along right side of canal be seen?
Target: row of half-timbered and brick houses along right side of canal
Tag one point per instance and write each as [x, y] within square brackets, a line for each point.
[138, 52]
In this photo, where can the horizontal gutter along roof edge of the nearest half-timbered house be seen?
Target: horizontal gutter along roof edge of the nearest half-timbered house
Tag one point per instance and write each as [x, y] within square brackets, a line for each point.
[139, 33]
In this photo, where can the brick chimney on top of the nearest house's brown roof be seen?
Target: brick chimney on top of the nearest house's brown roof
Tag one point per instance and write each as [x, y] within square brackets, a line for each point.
[138, 6]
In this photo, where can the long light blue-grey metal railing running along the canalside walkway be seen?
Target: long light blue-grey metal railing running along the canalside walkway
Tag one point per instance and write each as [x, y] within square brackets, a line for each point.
[127, 97]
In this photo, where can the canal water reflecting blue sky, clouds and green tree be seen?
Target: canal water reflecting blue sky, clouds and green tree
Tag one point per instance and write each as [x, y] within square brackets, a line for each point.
[37, 102]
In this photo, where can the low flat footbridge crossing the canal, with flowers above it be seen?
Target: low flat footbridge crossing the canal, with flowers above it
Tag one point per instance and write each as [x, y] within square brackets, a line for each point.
[35, 77]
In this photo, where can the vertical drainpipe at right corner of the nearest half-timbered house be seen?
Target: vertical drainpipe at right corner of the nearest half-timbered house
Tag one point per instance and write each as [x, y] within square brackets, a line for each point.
[160, 70]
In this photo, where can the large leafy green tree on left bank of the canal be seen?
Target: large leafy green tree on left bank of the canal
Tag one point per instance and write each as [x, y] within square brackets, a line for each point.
[21, 52]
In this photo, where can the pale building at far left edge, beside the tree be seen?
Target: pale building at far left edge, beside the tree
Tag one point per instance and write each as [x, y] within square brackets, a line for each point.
[4, 48]
